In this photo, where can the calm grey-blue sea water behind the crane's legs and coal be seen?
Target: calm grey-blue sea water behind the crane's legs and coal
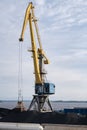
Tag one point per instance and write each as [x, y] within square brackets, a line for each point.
[56, 105]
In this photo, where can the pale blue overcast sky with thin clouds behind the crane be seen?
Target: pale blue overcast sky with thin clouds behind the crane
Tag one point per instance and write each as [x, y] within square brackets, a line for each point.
[63, 30]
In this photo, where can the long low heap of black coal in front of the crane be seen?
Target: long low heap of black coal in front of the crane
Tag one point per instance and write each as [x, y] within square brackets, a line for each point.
[17, 116]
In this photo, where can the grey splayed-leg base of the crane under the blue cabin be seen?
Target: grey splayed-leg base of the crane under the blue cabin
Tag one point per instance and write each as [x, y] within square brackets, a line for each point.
[40, 103]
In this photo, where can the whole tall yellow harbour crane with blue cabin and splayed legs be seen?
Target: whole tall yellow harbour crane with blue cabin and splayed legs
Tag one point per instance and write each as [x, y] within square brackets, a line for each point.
[42, 88]
